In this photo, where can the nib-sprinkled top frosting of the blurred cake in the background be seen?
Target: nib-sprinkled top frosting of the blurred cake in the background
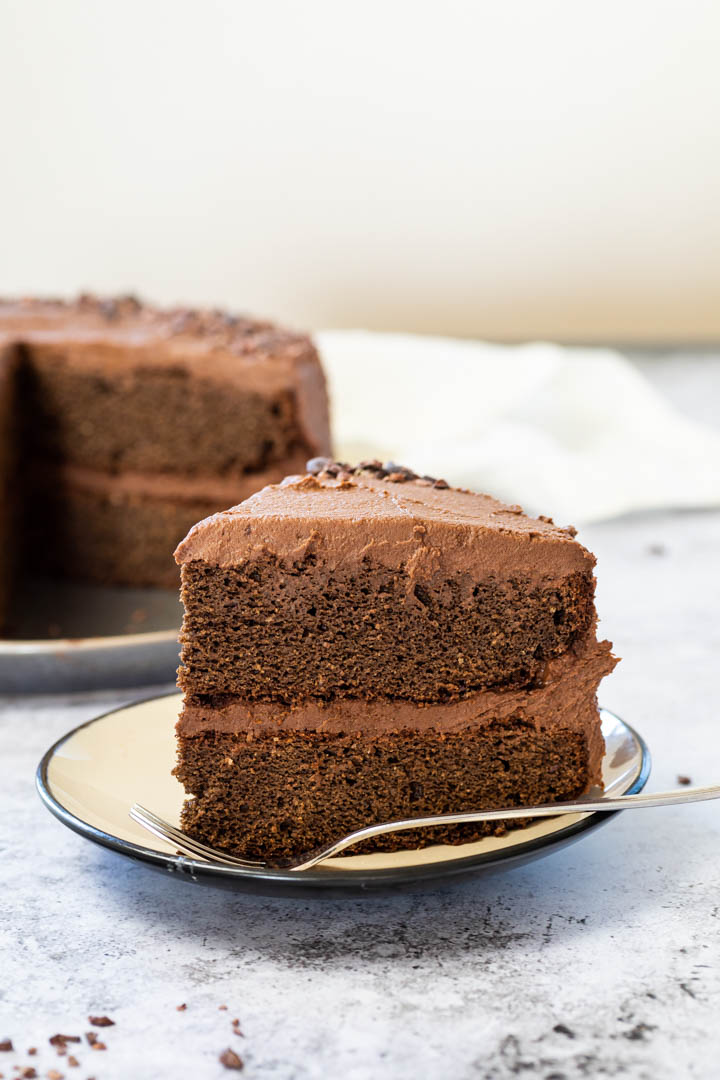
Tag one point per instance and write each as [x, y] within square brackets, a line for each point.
[121, 334]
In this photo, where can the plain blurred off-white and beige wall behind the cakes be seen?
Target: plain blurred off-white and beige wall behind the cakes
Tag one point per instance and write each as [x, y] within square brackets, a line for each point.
[506, 169]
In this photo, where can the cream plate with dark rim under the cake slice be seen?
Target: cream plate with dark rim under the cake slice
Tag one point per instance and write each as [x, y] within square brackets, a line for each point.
[92, 776]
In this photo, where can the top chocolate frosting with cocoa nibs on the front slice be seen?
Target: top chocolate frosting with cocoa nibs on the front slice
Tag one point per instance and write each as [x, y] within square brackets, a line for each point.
[387, 517]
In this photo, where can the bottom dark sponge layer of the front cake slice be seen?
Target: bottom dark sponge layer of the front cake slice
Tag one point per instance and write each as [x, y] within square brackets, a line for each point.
[287, 794]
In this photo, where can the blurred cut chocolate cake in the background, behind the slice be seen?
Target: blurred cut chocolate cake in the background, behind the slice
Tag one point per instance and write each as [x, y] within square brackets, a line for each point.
[130, 424]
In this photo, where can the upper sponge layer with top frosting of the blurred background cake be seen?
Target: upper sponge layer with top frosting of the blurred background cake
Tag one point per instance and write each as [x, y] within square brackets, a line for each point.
[116, 386]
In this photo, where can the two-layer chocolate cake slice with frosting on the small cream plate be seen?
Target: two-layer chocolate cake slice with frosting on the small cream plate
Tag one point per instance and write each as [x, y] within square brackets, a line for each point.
[365, 644]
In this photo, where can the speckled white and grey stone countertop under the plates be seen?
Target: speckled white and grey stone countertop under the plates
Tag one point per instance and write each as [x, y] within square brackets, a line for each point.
[601, 961]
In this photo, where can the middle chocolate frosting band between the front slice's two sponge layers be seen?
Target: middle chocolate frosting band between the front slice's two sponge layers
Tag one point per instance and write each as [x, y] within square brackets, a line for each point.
[566, 701]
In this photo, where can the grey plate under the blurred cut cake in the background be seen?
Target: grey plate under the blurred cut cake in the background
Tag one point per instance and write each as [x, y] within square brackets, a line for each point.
[74, 637]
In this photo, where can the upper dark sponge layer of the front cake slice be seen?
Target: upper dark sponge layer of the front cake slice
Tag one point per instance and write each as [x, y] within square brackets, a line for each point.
[269, 634]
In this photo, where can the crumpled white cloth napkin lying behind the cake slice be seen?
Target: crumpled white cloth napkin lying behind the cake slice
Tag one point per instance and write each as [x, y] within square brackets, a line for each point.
[577, 434]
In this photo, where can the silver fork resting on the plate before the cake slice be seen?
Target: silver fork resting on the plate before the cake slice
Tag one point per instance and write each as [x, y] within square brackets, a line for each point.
[187, 845]
